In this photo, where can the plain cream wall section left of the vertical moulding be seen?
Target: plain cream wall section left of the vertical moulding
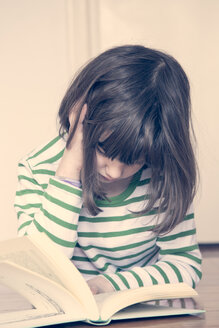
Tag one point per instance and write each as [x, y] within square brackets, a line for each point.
[34, 74]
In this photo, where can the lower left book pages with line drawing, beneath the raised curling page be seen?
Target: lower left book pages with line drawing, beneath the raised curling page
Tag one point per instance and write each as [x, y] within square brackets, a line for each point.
[38, 299]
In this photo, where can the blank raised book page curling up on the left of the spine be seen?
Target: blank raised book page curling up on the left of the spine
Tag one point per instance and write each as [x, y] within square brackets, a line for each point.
[40, 255]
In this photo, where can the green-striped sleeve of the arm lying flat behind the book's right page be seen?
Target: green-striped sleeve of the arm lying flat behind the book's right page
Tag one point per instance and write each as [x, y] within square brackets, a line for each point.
[178, 259]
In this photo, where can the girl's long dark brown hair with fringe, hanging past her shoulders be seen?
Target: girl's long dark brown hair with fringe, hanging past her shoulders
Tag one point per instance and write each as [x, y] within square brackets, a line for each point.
[141, 98]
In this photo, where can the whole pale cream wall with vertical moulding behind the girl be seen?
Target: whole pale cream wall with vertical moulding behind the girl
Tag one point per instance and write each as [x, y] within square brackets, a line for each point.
[44, 42]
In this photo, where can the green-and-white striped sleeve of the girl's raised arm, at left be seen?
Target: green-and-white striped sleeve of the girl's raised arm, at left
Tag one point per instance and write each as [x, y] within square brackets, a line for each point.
[44, 203]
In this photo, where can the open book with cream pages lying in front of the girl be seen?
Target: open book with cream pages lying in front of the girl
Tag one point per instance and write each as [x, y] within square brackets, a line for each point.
[57, 293]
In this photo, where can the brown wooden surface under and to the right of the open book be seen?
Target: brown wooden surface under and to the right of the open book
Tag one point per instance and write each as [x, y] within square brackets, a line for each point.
[208, 290]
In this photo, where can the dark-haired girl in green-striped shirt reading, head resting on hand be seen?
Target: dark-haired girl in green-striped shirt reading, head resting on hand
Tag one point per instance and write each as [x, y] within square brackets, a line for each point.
[114, 189]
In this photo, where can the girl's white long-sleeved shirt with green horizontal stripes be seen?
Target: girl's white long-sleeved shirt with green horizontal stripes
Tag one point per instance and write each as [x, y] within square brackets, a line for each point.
[116, 243]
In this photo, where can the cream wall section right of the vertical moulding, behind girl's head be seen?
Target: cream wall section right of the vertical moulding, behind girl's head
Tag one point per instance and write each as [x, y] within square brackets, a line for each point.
[189, 30]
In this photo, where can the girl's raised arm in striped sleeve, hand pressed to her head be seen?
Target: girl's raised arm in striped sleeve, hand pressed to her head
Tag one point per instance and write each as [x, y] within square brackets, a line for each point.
[53, 207]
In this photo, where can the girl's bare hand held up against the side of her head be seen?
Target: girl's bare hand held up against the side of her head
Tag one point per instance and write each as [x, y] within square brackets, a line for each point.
[71, 162]
